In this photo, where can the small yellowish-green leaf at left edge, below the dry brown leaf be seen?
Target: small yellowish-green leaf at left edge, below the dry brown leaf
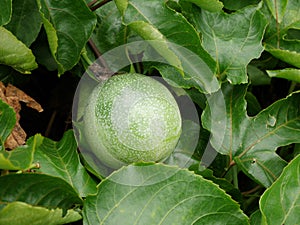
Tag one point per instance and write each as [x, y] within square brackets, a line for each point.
[21, 158]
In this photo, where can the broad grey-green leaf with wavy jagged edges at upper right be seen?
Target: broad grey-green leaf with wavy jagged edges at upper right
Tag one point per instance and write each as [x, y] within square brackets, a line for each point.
[233, 45]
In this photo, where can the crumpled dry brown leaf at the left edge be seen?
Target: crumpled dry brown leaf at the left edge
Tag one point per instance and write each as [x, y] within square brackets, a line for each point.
[13, 96]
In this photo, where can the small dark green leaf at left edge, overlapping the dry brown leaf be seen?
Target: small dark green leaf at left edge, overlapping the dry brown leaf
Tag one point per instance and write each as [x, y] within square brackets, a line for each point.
[7, 122]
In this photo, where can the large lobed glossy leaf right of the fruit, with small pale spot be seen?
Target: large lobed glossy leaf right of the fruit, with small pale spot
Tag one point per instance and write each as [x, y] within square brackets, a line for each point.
[252, 141]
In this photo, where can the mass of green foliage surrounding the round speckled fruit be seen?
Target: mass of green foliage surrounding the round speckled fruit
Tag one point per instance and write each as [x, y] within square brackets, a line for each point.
[239, 61]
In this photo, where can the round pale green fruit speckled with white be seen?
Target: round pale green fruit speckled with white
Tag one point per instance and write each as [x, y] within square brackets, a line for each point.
[131, 118]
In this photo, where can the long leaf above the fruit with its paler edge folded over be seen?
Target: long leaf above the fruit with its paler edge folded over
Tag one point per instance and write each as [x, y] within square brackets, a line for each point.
[174, 38]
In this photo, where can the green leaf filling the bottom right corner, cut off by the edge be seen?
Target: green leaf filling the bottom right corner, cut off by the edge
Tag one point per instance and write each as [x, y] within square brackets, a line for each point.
[280, 203]
